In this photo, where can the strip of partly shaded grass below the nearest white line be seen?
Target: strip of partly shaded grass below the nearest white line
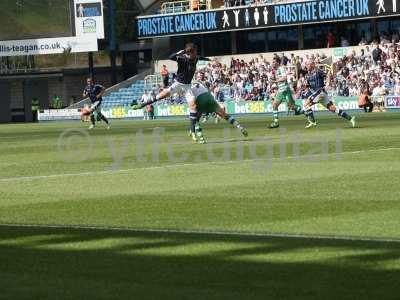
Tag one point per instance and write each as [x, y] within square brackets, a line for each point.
[39, 263]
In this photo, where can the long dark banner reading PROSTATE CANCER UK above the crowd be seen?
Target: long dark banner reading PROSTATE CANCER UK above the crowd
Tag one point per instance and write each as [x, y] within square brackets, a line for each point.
[263, 16]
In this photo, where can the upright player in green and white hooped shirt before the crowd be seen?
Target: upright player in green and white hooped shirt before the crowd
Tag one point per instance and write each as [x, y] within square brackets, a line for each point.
[284, 93]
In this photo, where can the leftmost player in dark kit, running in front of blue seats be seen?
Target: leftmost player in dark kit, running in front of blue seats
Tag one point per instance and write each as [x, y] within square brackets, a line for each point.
[95, 93]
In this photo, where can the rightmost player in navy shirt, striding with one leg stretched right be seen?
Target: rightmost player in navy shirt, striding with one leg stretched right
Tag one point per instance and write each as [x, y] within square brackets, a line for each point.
[316, 80]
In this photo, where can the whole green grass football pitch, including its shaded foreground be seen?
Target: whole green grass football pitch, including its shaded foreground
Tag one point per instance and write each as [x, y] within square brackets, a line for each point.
[141, 212]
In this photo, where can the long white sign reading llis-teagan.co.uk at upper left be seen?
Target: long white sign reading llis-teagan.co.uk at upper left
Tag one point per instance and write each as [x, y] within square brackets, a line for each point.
[48, 46]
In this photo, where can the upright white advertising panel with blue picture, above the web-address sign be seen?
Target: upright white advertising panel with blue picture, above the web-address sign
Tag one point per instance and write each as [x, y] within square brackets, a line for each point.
[89, 18]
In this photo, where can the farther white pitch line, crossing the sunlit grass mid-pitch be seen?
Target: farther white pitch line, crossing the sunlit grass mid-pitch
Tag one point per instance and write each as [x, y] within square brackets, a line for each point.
[28, 178]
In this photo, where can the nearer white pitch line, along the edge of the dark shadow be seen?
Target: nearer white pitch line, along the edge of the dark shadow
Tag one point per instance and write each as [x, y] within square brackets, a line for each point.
[206, 232]
